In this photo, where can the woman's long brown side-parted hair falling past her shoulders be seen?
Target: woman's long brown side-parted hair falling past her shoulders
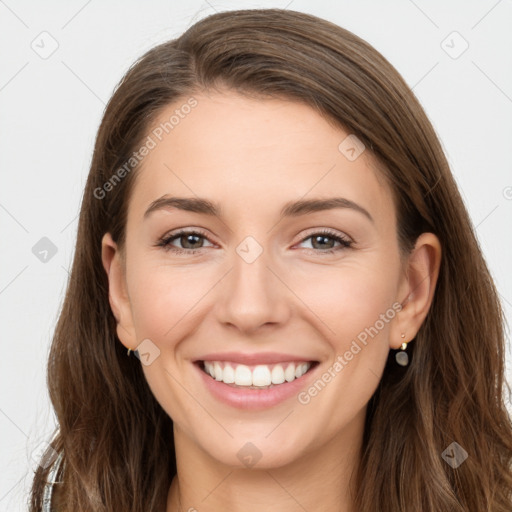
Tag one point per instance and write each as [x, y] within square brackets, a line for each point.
[116, 439]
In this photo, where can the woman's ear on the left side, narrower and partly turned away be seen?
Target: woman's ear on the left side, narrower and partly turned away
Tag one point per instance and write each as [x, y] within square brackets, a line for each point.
[114, 266]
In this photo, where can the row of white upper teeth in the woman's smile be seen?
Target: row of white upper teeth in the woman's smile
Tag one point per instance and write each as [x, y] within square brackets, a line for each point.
[259, 376]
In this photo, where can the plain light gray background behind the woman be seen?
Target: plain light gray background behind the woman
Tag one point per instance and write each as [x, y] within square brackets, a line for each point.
[51, 108]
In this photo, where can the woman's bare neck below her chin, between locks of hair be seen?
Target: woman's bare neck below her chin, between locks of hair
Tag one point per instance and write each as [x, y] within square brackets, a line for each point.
[322, 479]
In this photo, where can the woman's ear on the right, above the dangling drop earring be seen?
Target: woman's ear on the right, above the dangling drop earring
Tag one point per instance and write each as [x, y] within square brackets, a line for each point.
[416, 289]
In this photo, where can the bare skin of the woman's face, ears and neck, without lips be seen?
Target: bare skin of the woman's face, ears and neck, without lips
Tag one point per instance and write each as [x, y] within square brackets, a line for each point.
[251, 157]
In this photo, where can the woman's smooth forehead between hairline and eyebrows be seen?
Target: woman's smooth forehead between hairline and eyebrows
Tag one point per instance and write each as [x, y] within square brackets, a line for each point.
[246, 153]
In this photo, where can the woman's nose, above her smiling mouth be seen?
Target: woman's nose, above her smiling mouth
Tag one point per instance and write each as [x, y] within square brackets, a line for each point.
[253, 295]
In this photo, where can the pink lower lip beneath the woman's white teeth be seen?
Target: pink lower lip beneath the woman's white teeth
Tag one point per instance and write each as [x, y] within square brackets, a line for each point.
[243, 398]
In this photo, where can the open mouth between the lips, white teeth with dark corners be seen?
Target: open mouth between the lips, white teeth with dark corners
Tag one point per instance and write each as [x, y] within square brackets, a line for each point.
[257, 376]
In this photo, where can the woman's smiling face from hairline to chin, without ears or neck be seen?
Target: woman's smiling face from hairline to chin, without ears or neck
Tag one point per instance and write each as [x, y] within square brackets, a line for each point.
[260, 243]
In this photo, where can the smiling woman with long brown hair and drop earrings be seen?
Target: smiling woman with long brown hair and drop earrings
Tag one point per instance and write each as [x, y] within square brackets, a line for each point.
[271, 226]
